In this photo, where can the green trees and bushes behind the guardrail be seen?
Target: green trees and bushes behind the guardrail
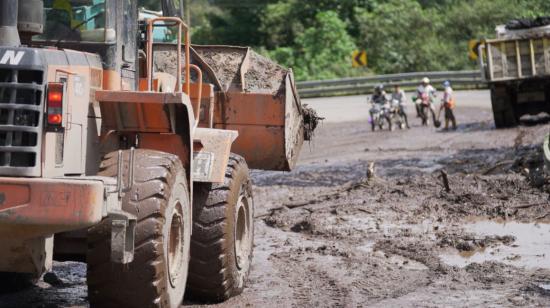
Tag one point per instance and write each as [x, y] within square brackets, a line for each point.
[317, 38]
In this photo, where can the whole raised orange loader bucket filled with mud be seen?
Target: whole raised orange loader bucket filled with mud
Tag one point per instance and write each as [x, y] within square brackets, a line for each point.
[257, 98]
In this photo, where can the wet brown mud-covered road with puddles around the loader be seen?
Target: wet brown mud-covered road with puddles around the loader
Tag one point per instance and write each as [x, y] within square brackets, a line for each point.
[454, 219]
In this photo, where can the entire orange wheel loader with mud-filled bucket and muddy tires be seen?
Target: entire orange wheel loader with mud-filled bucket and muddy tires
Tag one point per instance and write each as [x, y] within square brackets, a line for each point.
[124, 146]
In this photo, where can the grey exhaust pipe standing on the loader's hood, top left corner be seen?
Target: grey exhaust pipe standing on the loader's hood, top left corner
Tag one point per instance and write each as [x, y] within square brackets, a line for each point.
[9, 36]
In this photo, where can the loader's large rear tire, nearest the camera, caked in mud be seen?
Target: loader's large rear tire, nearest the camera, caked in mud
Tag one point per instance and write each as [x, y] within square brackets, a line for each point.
[158, 274]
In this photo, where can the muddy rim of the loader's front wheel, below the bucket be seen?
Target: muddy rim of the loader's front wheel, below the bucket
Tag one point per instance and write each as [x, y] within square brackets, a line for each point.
[242, 232]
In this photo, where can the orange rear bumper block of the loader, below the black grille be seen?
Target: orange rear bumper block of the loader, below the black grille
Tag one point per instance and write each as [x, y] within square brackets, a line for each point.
[40, 207]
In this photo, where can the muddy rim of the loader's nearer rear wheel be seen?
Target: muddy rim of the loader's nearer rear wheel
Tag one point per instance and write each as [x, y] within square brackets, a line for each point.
[176, 245]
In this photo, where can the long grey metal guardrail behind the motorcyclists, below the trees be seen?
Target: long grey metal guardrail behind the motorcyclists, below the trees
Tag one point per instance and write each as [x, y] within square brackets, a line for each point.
[367, 84]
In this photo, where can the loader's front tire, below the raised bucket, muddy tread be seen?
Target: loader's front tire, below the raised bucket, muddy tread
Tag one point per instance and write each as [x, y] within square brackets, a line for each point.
[223, 234]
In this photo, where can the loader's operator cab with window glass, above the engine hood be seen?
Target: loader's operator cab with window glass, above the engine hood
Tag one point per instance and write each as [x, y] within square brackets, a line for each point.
[108, 28]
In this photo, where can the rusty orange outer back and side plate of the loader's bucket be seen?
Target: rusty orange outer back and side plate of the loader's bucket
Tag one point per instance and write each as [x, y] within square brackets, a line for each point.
[270, 127]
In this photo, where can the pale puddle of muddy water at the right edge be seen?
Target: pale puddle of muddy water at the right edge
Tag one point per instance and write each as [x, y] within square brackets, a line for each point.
[531, 249]
